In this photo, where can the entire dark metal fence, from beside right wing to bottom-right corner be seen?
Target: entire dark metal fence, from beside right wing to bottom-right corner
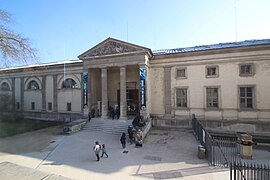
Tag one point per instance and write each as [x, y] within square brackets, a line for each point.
[225, 152]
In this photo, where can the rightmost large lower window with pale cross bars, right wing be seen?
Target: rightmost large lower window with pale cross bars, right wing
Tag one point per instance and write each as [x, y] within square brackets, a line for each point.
[246, 97]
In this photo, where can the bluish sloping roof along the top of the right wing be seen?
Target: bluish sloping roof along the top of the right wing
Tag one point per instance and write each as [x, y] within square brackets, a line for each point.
[211, 47]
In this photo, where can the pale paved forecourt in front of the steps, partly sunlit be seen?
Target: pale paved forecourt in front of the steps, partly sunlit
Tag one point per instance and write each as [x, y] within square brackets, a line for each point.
[47, 155]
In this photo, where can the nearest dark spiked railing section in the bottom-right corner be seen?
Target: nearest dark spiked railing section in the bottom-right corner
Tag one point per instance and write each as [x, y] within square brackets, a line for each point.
[246, 171]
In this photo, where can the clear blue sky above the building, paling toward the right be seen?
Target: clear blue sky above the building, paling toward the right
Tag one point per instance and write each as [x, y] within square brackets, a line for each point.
[63, 29]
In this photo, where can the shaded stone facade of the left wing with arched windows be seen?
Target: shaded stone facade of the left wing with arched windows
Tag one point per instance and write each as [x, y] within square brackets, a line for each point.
[39, 93]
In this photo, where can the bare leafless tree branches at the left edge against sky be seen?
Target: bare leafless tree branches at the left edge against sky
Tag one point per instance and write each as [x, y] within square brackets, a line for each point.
[13, 47]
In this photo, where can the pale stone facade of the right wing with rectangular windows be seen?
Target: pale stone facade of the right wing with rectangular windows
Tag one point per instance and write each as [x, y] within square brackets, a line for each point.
[229, 112]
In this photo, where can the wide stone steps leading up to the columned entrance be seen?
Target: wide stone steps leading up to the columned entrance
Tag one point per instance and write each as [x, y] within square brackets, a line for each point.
[108, 126]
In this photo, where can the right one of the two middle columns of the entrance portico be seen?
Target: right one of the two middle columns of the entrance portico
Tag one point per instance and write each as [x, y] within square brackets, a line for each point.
[123, 93]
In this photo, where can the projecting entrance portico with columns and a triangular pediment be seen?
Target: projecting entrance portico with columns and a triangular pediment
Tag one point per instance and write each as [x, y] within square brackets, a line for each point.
[113, 69]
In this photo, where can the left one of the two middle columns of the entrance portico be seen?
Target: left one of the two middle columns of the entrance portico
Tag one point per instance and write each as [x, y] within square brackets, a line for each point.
[104, 93]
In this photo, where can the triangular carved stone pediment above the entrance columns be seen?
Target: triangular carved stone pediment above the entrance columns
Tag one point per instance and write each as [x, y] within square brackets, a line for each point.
[112, 47]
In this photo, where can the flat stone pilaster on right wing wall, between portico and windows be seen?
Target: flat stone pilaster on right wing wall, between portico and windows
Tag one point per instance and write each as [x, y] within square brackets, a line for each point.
[167, 82]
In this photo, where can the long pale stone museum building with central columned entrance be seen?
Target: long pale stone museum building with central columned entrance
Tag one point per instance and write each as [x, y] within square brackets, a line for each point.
[225, 85]
